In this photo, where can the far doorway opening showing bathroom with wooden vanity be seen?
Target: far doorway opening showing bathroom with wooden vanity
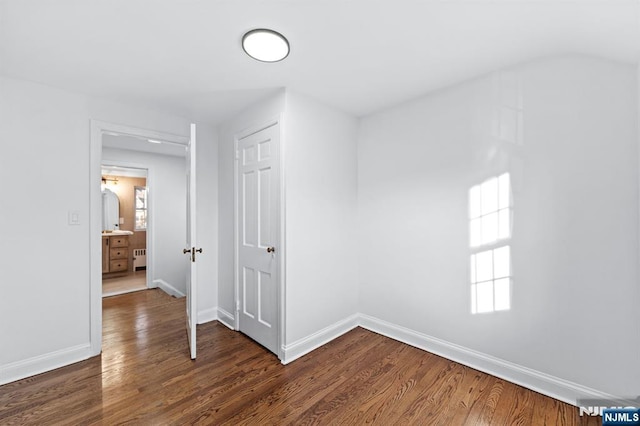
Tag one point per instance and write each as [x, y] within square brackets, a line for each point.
[125, 213]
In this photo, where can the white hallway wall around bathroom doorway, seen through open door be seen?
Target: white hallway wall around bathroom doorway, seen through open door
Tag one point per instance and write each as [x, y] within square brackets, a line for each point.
[167, 201]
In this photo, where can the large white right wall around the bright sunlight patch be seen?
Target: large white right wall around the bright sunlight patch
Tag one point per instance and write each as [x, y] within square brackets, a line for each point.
[575, 235]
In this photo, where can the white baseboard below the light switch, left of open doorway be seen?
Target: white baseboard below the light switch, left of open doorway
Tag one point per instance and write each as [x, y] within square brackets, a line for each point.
[40, 364]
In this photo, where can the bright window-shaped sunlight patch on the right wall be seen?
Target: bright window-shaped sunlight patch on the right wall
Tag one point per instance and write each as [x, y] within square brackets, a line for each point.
[489, 234]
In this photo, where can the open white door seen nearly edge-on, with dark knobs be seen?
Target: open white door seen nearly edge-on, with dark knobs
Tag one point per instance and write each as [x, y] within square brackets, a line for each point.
[191, 243]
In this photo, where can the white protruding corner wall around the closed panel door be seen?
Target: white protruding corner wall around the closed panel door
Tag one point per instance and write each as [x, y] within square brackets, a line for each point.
[320, 176]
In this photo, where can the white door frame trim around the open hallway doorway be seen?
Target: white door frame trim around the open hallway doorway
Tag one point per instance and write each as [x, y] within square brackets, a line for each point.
[98, 129]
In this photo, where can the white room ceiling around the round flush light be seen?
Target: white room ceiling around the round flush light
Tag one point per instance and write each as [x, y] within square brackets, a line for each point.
[361, 56]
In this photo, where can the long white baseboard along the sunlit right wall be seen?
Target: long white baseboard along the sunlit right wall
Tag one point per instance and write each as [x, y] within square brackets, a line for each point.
[543, 383]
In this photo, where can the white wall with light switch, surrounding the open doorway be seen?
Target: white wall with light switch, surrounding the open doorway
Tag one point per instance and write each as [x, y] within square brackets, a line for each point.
[44, 262]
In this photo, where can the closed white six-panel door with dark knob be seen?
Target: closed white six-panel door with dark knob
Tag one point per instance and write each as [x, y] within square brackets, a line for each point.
[258, 215]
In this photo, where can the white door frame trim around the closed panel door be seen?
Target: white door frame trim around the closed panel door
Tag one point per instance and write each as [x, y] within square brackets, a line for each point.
[280, 232]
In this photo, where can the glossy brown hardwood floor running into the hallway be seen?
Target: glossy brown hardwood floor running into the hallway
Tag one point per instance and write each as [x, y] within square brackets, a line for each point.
[145, 376]
